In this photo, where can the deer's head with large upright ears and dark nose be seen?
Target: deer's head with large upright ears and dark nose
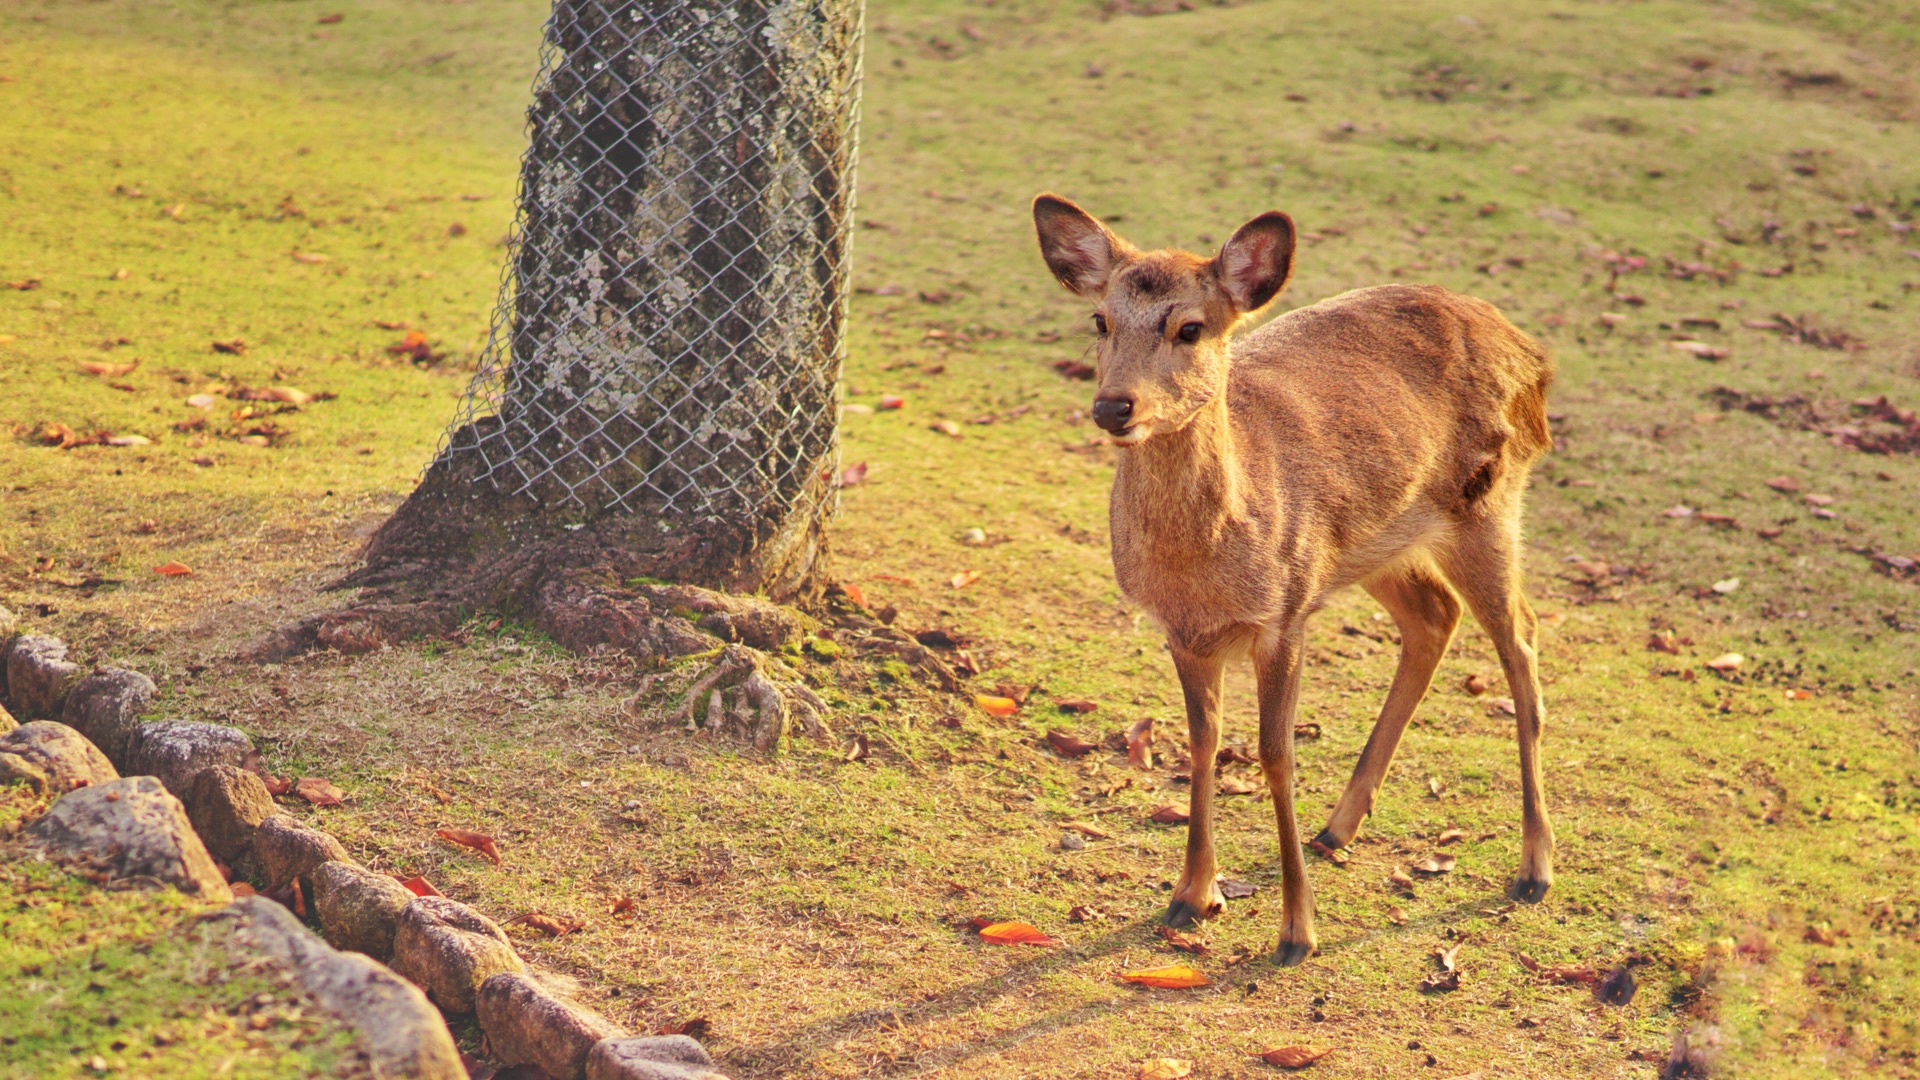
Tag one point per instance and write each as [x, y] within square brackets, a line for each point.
[1163, 318]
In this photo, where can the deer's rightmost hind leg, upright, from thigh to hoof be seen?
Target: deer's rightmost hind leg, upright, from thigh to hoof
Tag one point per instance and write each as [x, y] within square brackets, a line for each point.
[1483, 562]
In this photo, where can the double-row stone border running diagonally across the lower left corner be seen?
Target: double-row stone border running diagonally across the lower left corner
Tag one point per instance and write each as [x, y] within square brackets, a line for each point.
[195, 797]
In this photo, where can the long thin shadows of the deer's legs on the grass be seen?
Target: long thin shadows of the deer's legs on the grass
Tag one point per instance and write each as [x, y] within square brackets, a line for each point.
[802, 1046]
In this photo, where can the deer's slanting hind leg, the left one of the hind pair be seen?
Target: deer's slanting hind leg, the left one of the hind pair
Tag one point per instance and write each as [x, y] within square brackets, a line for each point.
[1426, 612]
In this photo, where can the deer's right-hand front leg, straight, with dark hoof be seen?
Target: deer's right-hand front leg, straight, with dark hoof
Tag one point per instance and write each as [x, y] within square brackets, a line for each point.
[1280, 695]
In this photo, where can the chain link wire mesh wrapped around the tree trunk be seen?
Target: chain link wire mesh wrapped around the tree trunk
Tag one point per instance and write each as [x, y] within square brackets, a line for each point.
[669, 331]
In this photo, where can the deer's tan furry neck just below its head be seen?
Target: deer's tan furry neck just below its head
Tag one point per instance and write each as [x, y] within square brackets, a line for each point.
[1186, 485]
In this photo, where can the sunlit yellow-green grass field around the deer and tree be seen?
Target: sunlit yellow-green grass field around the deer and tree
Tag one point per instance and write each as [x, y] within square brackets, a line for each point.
[1614, 176]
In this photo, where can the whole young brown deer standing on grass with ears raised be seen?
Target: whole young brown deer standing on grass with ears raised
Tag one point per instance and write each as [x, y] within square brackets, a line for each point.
[1378, 439]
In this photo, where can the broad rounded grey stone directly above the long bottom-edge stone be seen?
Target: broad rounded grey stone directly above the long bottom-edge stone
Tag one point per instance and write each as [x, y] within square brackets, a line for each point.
[130, 829]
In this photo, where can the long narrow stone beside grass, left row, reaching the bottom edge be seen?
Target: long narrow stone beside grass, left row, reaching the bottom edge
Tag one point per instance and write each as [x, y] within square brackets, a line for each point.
[395, 1025]
